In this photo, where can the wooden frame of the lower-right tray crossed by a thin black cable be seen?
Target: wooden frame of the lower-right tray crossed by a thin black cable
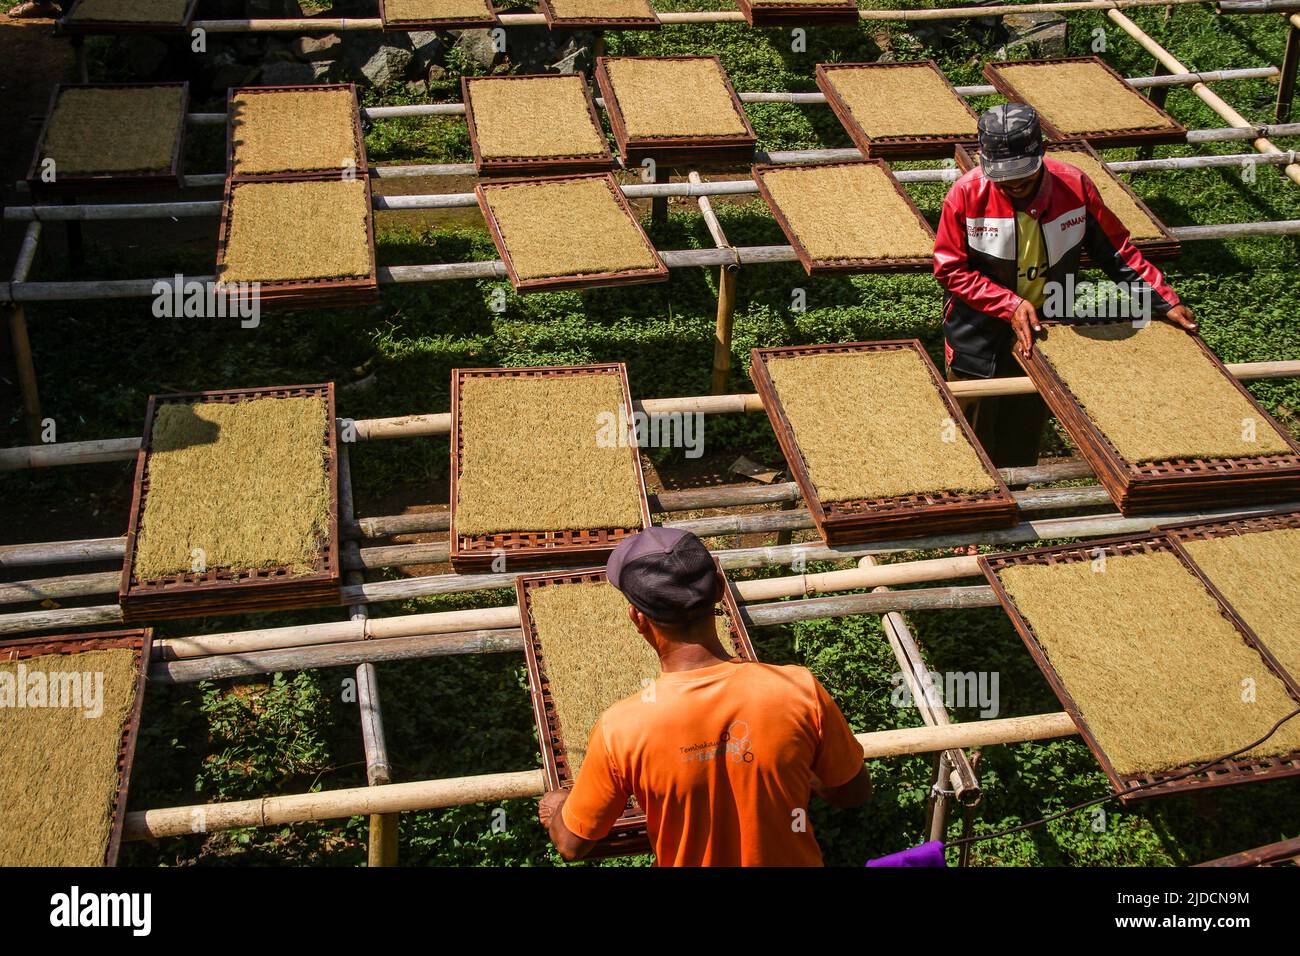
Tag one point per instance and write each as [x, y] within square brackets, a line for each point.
[1240, 771]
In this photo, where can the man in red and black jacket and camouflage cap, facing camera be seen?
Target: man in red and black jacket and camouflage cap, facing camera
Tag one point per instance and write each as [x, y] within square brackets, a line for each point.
[1008, 250]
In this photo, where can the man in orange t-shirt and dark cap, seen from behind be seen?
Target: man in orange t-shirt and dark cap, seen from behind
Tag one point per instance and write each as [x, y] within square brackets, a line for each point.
[723, 755]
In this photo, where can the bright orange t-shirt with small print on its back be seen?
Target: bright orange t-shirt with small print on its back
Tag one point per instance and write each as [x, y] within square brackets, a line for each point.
[722, 760]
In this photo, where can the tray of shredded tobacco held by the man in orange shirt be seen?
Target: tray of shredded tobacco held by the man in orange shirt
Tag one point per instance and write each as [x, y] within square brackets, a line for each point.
[619, 669]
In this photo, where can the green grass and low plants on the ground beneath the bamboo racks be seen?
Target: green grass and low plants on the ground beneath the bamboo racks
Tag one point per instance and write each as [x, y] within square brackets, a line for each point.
[98, 364]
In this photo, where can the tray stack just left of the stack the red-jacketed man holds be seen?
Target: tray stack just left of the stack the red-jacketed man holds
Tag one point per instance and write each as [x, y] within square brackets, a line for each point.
[877, 443]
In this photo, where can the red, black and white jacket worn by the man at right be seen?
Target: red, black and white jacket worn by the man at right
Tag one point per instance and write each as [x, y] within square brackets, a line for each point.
[976, 258]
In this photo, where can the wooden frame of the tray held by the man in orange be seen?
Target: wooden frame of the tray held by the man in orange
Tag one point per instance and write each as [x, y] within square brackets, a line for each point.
[630, 834]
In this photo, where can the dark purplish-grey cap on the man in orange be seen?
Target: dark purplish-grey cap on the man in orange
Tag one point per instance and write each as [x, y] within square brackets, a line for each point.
[668, 574]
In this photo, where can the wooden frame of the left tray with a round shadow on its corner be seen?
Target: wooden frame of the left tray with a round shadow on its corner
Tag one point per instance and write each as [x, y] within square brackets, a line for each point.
[219, 591]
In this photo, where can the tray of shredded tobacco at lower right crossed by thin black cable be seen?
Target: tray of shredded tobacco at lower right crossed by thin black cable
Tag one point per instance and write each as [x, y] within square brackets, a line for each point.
[1150, 661]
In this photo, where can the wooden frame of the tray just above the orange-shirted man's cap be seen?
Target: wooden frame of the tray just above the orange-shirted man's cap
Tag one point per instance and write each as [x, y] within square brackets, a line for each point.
[473, 555]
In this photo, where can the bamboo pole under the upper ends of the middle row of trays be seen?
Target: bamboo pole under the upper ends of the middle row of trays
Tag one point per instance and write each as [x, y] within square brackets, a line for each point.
[440, 423]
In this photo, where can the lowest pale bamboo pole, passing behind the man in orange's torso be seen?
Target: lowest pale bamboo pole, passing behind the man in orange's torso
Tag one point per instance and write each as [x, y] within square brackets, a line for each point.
[428, 795]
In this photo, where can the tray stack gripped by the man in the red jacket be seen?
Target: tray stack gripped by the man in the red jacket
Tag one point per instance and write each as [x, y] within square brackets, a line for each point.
[1160, 419]
